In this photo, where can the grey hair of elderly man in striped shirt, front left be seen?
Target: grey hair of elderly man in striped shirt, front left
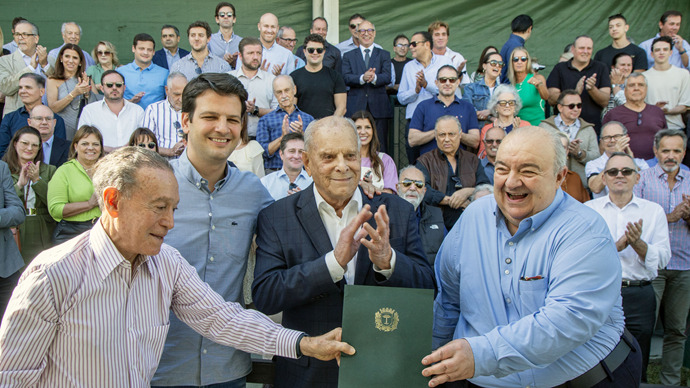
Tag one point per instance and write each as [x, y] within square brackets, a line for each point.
[119, 170]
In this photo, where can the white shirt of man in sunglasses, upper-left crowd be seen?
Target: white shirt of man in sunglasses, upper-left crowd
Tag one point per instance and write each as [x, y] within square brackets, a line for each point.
[116, 129]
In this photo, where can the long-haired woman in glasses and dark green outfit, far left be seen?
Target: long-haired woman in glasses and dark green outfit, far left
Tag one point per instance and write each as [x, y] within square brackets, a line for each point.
[24, 156]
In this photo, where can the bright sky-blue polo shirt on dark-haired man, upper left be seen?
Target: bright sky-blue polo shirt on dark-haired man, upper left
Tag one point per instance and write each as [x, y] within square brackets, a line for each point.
[150, 80]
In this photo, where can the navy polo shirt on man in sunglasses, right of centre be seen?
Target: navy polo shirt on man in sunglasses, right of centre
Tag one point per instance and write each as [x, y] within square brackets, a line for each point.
[428, 111]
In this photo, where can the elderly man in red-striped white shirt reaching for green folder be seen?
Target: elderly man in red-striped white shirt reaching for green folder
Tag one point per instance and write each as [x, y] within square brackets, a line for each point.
[94, 312]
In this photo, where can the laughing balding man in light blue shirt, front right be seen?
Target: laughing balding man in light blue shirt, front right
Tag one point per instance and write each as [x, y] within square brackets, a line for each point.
[529, 283]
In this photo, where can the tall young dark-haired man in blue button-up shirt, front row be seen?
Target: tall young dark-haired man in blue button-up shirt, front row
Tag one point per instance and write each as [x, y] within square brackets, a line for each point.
[214, 225]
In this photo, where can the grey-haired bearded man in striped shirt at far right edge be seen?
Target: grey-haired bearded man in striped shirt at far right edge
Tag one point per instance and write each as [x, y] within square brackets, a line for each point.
[669, 186]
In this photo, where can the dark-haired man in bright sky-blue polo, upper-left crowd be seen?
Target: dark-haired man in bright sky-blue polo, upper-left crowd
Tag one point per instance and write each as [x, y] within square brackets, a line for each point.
[145, 80]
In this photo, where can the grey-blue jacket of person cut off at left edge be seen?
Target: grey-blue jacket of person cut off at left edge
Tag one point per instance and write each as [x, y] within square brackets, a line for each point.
[11, 214]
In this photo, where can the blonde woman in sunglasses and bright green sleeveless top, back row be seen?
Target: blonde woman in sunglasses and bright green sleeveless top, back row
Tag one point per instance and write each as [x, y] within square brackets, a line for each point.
[530, 86]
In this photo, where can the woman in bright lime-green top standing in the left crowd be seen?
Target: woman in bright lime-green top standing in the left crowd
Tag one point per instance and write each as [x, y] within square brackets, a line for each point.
[71, 198]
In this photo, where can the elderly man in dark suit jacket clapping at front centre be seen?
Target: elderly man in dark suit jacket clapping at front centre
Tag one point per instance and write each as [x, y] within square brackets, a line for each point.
[312, 243]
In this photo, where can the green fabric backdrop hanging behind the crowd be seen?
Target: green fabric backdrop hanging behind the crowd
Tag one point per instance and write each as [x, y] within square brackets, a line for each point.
[474, 23]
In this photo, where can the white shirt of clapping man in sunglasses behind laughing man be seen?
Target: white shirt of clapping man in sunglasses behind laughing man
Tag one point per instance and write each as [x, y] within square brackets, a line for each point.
[654, 233]
